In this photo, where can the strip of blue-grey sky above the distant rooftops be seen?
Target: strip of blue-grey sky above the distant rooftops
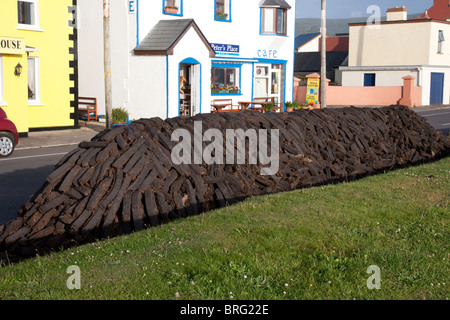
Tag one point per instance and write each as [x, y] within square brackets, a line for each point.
[337, 9]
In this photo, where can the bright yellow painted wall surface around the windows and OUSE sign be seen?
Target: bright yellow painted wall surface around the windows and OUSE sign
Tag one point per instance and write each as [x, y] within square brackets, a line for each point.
[52, 42]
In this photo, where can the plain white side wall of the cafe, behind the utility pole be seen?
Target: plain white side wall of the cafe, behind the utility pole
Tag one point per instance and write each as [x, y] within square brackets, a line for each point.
[90, 51]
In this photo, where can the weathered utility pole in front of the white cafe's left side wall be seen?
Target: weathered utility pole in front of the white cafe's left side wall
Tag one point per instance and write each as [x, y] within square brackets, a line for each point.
[107, 62]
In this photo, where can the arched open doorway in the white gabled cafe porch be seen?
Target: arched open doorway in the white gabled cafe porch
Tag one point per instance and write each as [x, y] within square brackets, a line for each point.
[189, 89]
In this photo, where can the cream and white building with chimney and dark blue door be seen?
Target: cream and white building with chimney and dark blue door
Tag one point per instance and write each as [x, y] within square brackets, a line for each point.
[381, 55]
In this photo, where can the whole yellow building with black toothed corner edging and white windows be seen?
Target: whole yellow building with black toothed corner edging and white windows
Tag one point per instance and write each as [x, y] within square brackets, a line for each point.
[38, 70]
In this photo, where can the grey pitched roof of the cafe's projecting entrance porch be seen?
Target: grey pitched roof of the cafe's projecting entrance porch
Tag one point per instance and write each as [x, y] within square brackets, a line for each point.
[165, 34]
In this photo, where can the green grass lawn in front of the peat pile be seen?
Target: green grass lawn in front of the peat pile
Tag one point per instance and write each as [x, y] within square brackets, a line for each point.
[314, 243]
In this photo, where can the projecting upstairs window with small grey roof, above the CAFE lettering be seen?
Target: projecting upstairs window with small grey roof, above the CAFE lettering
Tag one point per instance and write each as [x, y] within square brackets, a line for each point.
[274, 17]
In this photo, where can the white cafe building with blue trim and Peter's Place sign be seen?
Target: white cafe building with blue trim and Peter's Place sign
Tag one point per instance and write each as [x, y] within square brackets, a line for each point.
[225, 49]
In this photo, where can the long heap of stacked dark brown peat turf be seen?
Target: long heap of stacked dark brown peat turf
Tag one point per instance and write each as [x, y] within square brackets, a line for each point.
[124, 179]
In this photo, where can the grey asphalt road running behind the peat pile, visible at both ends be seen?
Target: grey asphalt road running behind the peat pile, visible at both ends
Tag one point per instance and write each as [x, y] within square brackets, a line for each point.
[25, 171]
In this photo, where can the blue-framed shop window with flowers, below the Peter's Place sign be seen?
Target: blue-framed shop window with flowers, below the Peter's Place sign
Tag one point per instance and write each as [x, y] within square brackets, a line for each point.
[224, 80]
